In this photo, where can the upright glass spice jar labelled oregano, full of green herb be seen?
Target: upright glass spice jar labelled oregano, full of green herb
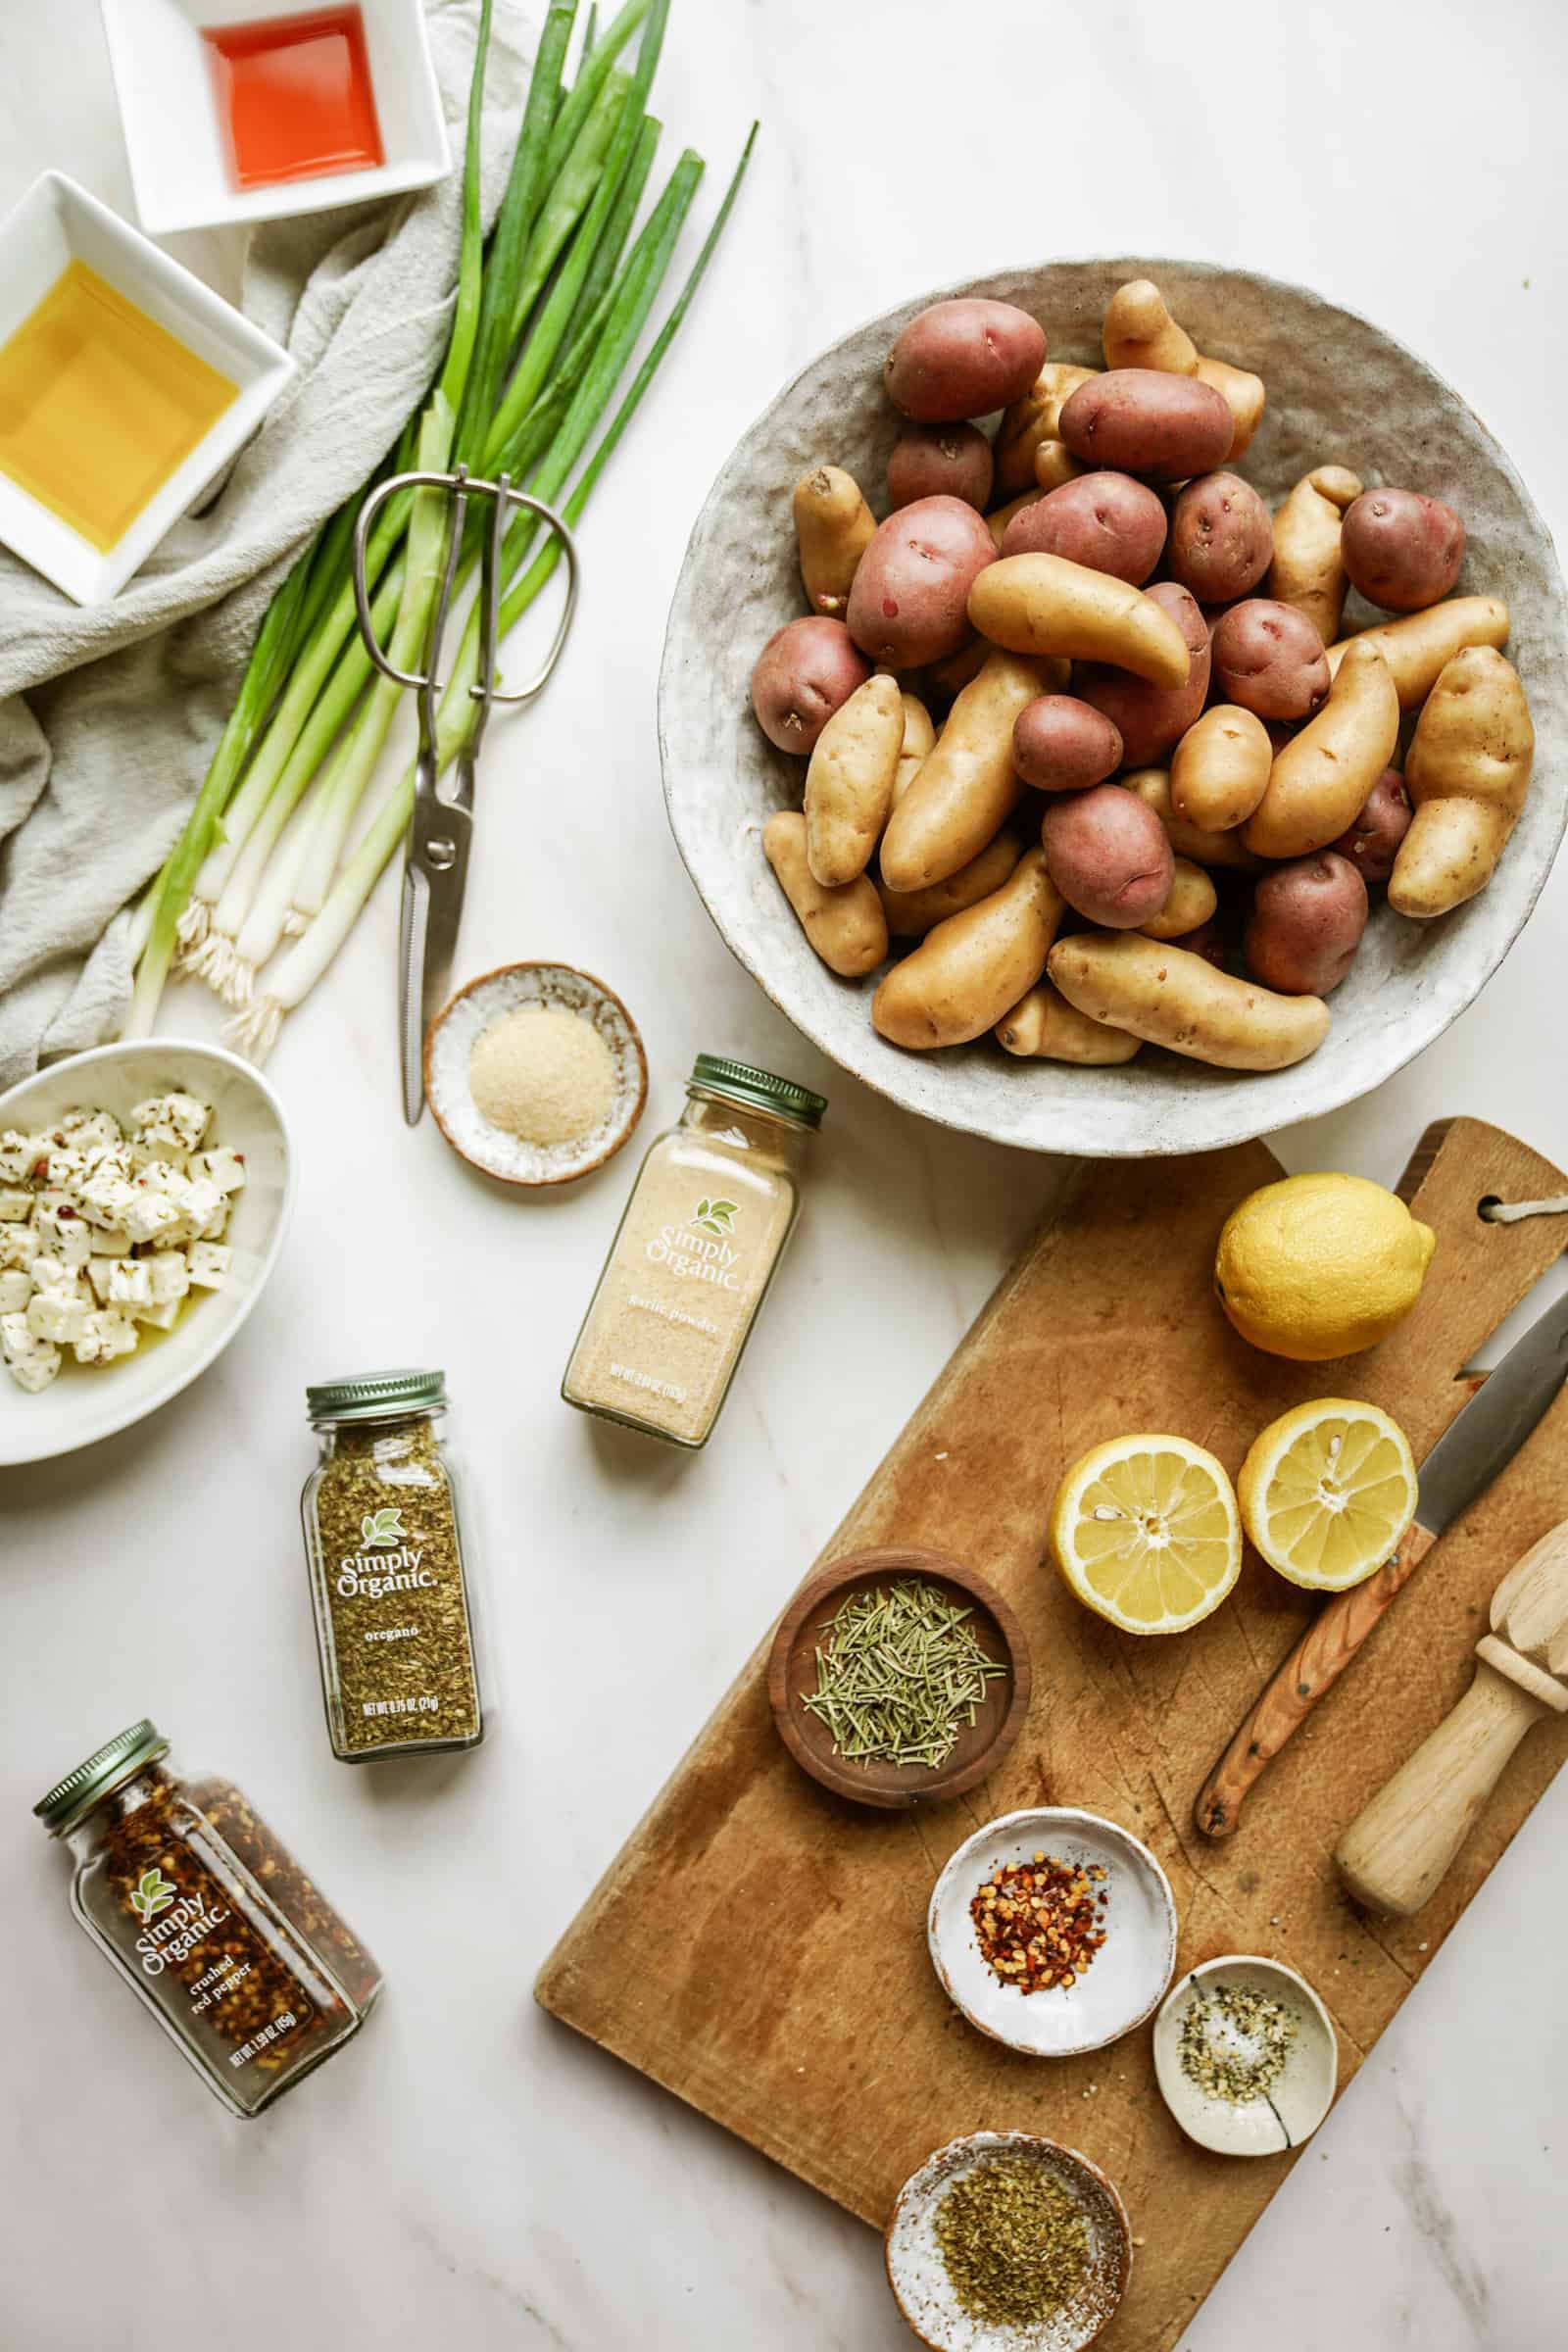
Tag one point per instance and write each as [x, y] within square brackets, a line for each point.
[394, 1603]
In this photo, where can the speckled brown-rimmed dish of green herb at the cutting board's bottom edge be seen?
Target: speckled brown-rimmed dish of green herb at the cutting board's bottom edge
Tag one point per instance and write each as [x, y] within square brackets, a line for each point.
[923, 2273]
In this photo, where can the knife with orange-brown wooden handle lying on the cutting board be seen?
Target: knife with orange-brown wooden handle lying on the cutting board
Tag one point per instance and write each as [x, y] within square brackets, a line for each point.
[1466, 1459]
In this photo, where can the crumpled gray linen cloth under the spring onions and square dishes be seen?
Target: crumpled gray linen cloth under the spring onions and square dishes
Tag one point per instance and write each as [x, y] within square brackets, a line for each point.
[109, 716]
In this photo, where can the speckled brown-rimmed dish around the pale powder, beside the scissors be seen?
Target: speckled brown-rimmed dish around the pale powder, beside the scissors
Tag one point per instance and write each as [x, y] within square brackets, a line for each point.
[474, 1015]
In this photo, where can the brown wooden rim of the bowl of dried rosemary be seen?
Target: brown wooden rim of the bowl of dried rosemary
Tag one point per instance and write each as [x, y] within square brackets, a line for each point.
[899, 1561]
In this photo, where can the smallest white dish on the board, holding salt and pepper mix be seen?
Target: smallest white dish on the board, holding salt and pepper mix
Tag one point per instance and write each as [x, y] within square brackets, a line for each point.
[1247, 2057]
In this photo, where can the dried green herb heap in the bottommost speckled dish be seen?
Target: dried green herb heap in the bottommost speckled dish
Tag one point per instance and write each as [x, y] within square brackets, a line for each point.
[1014, 2243]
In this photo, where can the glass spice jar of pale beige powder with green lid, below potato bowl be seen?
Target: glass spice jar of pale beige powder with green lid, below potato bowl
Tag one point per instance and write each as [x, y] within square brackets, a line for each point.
[695, 1255]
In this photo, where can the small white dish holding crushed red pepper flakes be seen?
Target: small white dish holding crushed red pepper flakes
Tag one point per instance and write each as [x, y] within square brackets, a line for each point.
[1054, 1932]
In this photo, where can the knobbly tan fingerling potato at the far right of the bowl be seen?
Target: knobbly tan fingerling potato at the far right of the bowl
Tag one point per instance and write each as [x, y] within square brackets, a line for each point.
[1468, 775]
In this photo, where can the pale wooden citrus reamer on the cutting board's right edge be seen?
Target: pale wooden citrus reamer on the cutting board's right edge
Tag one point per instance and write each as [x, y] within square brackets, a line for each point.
[1400, 1845]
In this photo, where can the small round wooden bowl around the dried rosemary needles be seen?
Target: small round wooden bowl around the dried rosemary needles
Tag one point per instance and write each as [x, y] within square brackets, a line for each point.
[979, 1746]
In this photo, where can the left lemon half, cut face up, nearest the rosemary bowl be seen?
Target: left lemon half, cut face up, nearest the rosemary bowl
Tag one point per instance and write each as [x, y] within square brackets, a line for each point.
[1146, 1532]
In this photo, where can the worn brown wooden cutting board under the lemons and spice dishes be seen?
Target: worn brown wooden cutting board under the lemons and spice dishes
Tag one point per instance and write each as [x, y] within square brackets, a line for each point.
[760, 1949]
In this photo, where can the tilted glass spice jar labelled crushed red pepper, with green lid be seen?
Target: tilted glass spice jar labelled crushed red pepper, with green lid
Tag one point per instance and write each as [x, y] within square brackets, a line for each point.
[210, 1920]
